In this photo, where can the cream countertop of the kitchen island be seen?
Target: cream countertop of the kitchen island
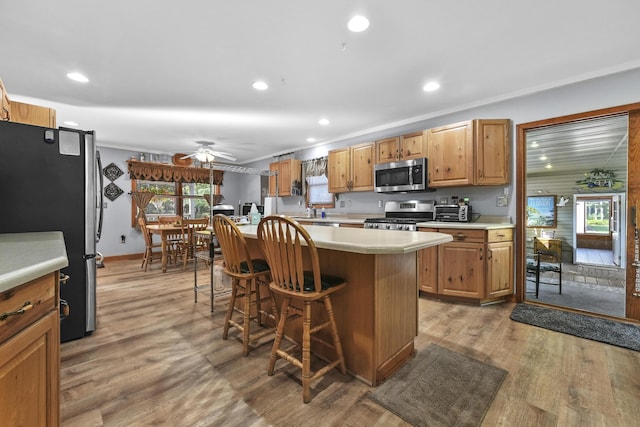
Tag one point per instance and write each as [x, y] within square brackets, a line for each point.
[359, 240]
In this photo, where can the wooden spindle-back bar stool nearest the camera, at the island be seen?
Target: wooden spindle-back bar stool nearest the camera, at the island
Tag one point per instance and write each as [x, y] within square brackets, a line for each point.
[282, 240]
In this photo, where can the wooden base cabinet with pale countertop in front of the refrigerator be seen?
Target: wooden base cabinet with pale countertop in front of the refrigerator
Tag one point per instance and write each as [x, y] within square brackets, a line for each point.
[30, 327]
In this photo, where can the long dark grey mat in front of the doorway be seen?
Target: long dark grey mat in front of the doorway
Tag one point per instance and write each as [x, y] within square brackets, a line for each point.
[594, 328]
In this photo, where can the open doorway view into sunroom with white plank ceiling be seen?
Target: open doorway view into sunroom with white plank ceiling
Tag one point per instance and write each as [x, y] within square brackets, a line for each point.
[583, 161]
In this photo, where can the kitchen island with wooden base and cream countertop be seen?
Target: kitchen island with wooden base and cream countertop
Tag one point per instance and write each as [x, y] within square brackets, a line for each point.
[377, 312]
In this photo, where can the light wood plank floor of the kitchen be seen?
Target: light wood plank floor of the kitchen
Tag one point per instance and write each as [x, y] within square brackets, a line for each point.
[157, 358]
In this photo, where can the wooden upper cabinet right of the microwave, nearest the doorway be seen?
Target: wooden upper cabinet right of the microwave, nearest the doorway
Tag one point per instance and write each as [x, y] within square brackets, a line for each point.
[475, 152]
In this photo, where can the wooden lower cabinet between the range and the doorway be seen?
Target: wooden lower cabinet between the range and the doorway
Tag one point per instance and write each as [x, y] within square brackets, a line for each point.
[477, 265]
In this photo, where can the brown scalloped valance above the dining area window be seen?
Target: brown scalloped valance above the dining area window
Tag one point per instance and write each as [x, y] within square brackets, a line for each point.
[150, 171]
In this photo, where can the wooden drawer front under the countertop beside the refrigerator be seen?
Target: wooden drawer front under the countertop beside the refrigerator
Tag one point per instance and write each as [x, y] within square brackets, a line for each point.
[42, 296]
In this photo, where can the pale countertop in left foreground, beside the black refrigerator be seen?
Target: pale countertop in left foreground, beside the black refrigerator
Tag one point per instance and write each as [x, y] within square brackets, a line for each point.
[27, 256]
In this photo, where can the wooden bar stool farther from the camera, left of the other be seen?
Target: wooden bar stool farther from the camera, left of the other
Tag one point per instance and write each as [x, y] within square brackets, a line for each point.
[246, 275]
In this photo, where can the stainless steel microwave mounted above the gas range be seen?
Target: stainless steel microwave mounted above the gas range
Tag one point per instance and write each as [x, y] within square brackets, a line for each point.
[401, 176]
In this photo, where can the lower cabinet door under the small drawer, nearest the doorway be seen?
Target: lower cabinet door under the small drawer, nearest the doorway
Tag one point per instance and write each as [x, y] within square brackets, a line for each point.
[499, 269]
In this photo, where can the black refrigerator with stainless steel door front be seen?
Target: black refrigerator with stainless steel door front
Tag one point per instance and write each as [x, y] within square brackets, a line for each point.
[50, 180]
